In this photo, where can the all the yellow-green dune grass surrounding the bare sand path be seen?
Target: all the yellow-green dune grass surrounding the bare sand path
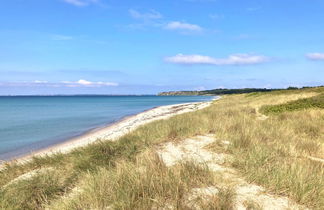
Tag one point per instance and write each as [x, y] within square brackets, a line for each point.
[271, 152]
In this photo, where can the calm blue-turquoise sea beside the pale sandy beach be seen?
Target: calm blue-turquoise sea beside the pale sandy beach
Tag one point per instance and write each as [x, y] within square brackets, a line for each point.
[30, 123]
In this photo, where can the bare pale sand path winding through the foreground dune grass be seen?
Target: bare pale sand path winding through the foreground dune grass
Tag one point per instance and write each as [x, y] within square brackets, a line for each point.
[194, 149]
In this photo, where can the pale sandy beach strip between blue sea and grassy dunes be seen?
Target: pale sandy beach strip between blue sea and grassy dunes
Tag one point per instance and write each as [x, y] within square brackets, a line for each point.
[112, 132]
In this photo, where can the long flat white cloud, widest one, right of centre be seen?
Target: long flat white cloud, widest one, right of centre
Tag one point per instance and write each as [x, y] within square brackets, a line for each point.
[236, 59]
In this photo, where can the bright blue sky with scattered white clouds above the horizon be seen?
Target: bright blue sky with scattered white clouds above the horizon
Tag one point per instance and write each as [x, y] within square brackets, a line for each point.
[149, 46]
